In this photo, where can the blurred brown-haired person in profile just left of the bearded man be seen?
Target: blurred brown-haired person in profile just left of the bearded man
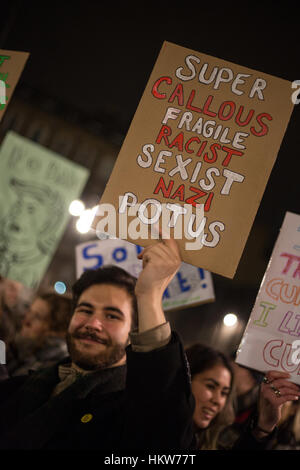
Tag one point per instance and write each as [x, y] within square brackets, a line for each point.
[42, 339]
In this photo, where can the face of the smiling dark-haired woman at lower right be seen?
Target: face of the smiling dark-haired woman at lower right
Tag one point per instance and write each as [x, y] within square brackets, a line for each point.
[210, 389]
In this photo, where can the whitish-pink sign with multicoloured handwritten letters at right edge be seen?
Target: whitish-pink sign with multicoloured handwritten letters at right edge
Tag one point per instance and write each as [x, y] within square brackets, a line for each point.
[270, 339]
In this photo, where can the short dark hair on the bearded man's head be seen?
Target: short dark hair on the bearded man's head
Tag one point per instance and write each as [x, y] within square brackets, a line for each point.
[108, 275]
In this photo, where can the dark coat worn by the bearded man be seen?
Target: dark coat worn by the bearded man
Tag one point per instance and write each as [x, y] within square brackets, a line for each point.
[149, 406]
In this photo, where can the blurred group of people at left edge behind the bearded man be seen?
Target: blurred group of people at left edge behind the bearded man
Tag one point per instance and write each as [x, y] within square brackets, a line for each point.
[33, 329]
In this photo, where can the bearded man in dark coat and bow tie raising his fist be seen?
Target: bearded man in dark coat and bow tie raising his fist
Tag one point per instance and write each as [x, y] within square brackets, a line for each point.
[109, 394]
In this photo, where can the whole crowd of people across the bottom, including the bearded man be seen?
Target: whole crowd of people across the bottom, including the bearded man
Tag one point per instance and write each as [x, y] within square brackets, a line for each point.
[104, 370]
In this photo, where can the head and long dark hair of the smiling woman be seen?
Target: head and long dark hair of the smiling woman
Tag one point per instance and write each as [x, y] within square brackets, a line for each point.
[212, 387]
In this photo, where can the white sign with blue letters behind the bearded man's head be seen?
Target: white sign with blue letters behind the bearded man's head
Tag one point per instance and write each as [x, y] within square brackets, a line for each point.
[191, 286]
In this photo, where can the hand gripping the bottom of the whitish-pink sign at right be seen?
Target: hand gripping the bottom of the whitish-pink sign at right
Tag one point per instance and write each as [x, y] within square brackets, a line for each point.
[274, 392]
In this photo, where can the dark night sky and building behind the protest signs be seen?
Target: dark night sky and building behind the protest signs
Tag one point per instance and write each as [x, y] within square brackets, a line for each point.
[88, 67]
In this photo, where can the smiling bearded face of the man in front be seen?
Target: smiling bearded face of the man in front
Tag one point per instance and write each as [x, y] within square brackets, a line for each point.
[99, 329]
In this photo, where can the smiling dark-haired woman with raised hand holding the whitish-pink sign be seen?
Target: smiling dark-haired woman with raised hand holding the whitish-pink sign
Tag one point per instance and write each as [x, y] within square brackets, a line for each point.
[212, 386]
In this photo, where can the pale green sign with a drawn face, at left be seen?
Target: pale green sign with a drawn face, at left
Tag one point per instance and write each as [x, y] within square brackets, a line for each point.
[36, 189]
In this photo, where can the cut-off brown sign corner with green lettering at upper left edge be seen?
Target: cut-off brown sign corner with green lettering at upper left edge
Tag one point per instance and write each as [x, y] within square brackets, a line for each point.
[11, 67]
